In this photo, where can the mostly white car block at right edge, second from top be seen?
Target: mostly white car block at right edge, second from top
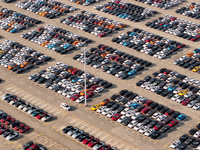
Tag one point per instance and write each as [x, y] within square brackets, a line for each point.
[176, 26]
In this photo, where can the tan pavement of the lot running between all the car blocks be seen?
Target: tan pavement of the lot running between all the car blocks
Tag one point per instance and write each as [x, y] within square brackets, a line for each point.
[121, 137]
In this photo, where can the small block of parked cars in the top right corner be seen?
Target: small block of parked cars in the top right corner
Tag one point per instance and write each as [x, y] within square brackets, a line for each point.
[191, 10]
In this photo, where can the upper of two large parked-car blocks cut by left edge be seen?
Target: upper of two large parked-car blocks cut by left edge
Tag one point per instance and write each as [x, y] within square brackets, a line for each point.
[12, 21]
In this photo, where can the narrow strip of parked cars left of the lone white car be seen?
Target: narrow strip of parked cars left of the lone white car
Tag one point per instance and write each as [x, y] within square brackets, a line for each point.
[24, 106]
